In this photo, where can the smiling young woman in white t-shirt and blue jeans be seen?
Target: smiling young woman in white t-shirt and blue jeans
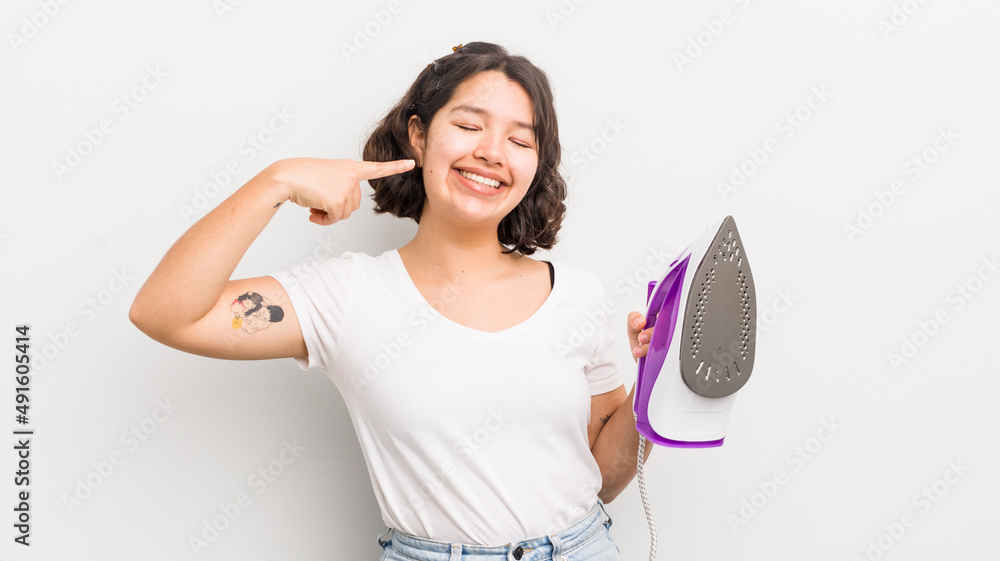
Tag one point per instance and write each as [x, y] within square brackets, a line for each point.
[481, 382]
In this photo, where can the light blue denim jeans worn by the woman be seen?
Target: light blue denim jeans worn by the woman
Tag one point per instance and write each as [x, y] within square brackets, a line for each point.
[587, 540]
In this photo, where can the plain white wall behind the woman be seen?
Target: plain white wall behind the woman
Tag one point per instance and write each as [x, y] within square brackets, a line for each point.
[901, 146]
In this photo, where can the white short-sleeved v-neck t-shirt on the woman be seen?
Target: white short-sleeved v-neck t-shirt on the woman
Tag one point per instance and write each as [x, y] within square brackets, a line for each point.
[469, 436]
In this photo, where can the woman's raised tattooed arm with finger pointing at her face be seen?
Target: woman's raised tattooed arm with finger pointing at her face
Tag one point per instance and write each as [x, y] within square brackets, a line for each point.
[189, 301]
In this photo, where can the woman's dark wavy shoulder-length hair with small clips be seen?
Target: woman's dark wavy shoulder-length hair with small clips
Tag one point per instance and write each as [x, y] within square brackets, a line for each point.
[537, 218]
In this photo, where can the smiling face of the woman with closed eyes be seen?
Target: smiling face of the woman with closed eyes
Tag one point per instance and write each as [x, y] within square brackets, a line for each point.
[484, 130]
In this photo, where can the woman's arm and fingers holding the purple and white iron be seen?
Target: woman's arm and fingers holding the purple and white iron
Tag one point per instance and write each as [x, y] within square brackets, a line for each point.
[613, 438]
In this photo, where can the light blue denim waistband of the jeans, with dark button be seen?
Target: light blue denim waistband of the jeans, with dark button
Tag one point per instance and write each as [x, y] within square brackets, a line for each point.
[551, 545]
